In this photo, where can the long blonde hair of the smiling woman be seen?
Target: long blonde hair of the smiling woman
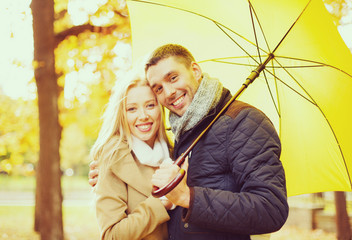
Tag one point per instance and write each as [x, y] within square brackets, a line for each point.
[114, 117]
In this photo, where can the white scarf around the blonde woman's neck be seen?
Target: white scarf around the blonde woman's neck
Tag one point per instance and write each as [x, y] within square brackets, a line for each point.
[151, 156]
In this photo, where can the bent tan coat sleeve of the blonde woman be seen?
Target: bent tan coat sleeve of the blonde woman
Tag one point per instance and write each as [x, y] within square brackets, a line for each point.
[111, 210]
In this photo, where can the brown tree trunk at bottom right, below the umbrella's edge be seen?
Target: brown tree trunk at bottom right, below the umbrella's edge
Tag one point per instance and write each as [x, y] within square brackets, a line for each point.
[342, 220]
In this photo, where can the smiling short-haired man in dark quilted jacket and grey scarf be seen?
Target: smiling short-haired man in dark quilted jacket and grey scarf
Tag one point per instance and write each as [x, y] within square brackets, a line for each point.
[235, 181]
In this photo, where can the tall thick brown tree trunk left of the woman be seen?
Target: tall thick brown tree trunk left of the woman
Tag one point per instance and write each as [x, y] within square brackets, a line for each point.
[49, 179]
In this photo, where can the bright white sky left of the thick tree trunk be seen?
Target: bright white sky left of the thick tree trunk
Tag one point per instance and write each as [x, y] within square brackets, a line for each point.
[16, 47]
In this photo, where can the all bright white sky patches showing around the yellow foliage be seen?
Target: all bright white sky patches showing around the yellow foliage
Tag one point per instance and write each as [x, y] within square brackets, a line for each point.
[16, 45]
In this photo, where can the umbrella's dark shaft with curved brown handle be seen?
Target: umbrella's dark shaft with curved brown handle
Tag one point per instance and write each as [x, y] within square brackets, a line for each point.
[159, 192]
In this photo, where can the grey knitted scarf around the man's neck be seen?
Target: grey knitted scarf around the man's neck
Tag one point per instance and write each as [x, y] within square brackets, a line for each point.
[206, 98]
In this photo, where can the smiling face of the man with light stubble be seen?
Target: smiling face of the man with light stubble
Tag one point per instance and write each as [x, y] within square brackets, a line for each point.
[174, 84]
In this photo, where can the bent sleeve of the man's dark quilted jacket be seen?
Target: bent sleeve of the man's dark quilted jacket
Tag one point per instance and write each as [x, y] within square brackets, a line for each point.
[253, 151]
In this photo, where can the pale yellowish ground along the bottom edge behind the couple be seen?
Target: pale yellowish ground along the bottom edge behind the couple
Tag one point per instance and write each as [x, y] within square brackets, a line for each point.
[80, 224]
